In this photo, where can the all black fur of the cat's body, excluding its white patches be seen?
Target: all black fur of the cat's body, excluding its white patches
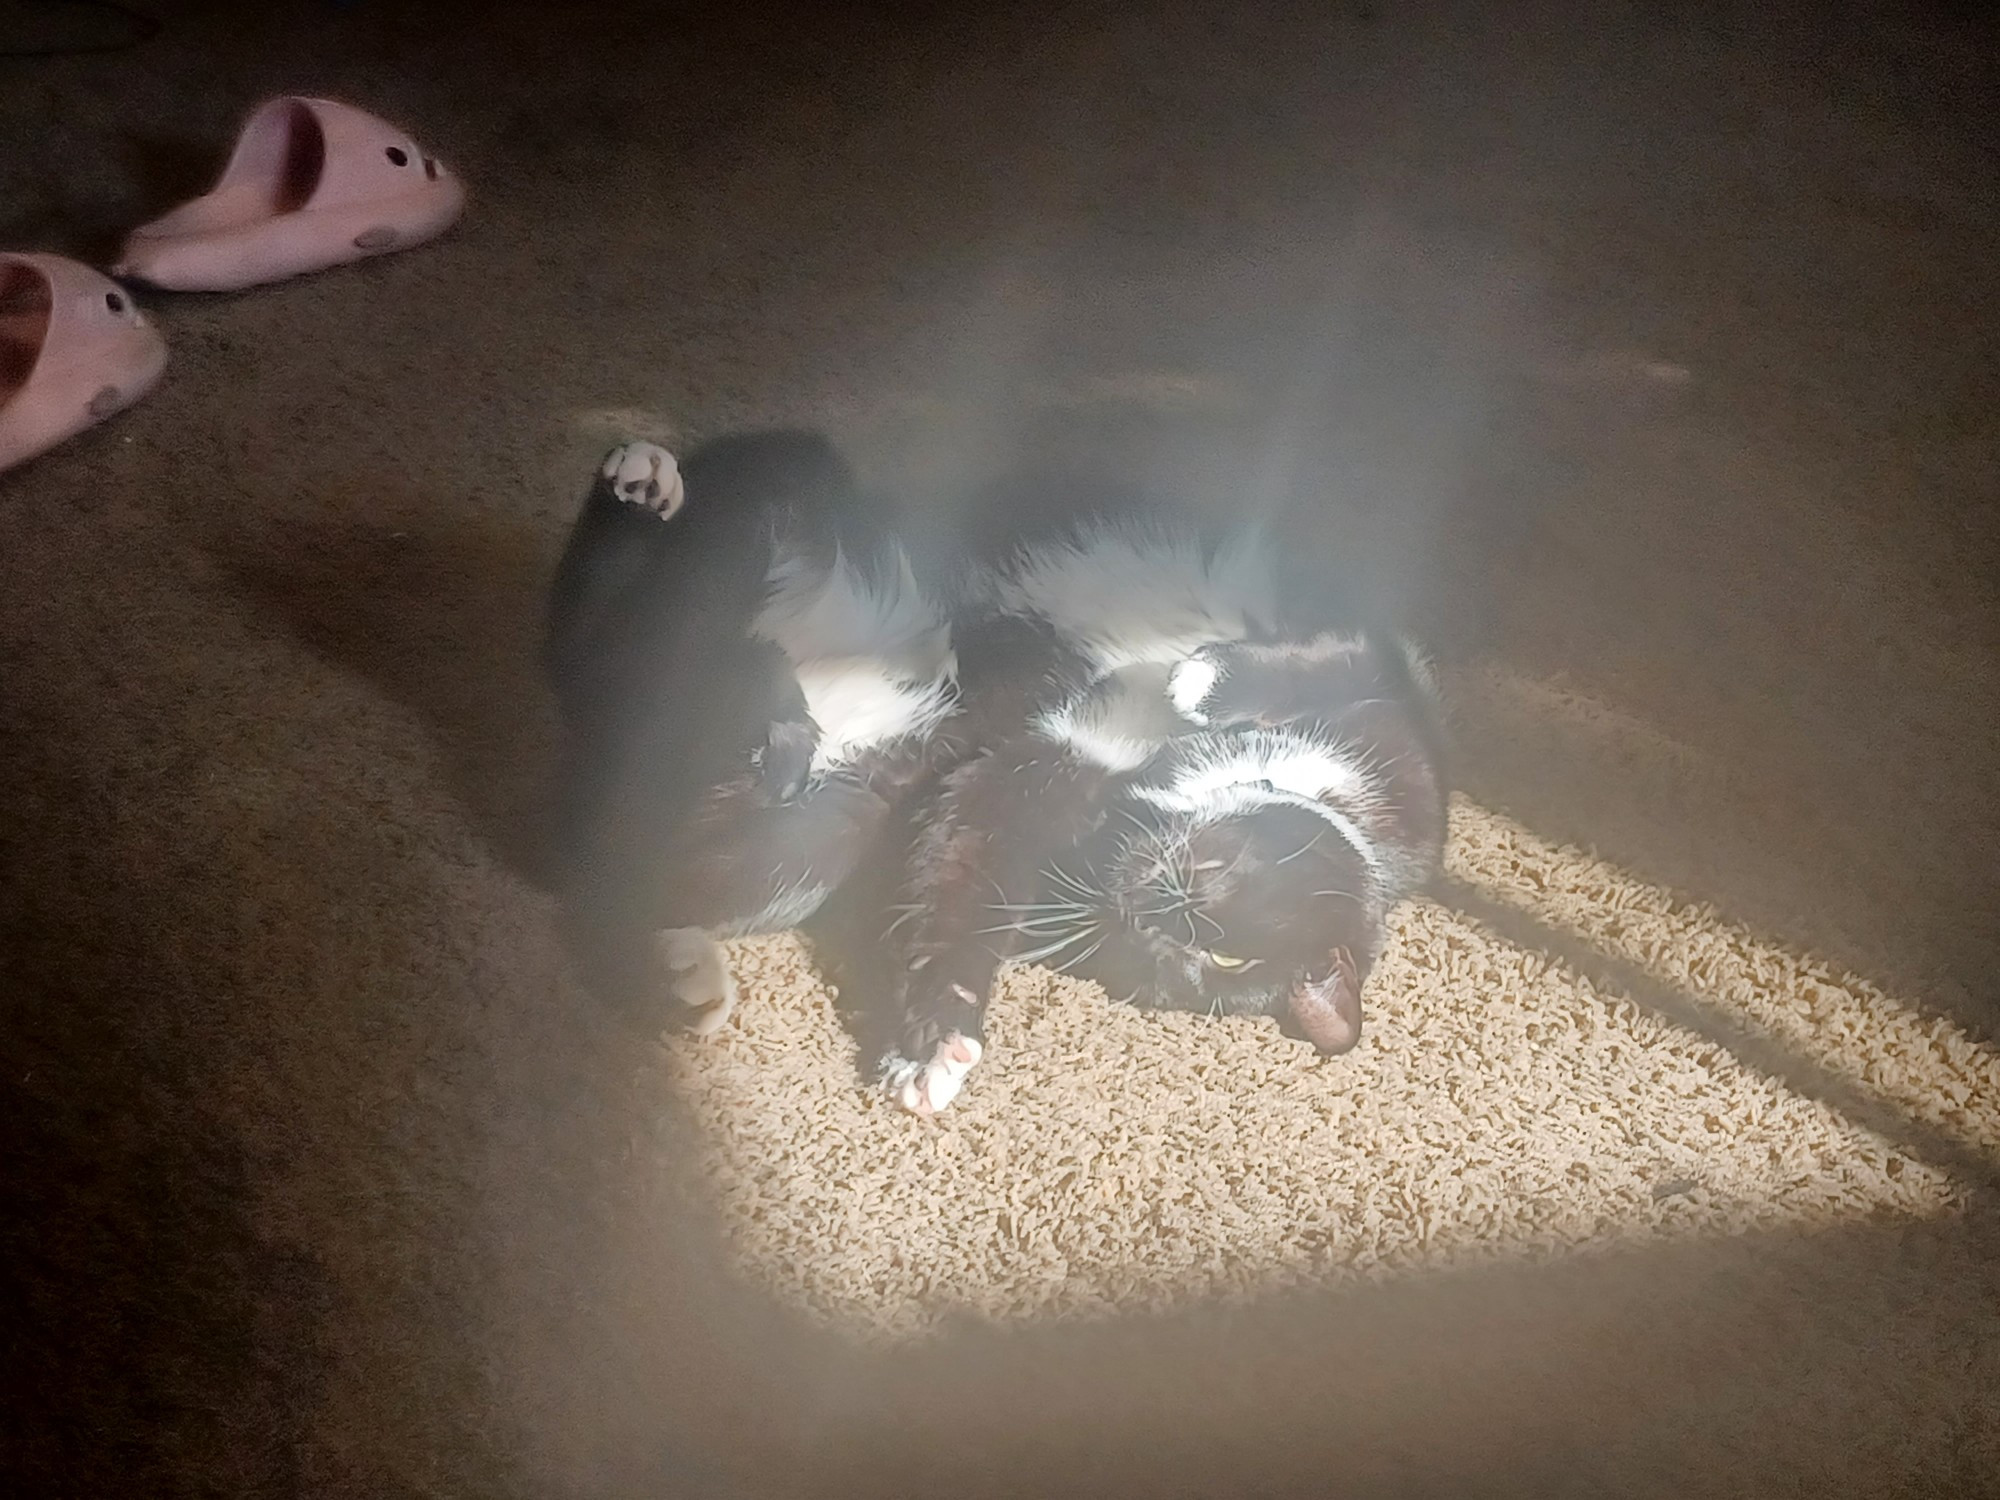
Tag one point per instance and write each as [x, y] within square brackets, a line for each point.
[689, 801]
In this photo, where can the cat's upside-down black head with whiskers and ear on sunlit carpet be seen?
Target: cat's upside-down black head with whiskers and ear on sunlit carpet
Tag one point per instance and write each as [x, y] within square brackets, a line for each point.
[1265, 911]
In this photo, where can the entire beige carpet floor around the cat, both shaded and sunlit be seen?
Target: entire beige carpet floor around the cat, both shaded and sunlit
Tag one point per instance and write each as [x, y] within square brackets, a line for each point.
[1645, 351]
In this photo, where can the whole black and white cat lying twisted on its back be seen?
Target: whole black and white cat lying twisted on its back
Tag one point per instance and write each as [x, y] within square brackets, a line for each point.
[1129, 749]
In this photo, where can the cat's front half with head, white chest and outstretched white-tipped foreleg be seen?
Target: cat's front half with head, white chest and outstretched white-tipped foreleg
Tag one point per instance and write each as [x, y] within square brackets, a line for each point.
[1177, 775]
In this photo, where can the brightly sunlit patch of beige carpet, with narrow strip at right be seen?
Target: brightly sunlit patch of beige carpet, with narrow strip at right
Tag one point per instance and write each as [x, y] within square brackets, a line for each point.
[1503, 1105]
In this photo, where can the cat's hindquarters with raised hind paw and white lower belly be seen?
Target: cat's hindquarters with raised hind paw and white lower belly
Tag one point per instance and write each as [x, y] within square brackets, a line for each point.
[751, 677]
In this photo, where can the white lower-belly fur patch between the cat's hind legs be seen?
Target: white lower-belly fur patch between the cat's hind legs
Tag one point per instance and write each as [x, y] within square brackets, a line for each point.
[873, 659]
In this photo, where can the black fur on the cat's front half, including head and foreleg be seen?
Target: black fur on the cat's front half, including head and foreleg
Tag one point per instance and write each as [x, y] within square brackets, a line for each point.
[1031, 851]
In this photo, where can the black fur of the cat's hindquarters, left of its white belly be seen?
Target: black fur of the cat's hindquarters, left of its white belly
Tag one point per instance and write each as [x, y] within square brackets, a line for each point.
[685, 795]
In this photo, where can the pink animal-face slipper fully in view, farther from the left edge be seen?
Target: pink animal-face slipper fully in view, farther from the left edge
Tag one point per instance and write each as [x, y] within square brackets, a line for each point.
[313, 185]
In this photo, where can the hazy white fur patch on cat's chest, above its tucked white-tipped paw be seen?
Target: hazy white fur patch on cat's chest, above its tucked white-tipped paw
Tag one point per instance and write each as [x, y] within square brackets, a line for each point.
[1133, 593]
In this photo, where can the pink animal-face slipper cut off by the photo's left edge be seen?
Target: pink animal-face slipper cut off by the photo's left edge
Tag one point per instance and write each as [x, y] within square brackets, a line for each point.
[73, 351]
